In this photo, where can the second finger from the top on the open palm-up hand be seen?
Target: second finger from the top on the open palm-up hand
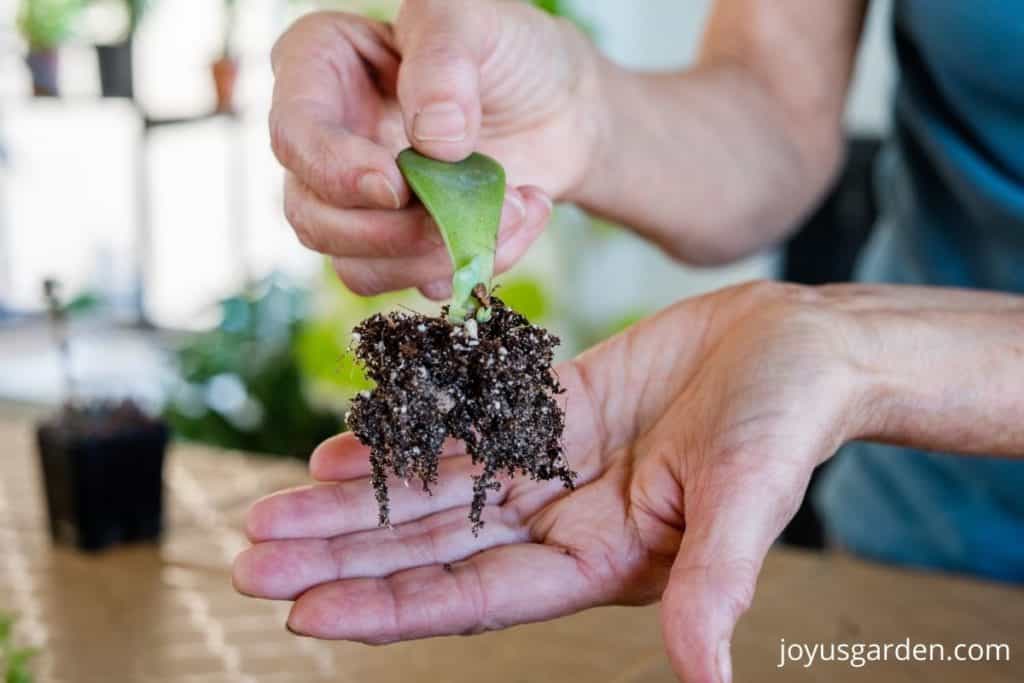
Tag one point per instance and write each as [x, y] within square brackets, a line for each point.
[329, 510]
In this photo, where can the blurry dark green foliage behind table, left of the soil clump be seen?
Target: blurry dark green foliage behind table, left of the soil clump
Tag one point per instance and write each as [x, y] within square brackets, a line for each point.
[241, 386]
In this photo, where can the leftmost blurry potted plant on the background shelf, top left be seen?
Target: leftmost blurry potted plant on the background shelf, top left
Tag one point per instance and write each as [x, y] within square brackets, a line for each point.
[45, 25]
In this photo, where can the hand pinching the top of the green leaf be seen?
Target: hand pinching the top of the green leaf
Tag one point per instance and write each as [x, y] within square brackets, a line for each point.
[451, 77]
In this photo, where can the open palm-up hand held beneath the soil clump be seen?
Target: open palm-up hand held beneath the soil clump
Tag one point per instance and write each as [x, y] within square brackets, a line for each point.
[695, 436]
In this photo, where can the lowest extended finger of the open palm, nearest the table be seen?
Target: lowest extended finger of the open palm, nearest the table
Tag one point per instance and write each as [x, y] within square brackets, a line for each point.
[508, 585]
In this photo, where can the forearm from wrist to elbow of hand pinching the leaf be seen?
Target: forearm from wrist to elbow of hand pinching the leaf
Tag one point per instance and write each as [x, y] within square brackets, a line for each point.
[699, 164]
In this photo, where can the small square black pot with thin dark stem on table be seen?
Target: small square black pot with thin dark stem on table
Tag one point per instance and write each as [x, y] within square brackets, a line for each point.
[102, 462]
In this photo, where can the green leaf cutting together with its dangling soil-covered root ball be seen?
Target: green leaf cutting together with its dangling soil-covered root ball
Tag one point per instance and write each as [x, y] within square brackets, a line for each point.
[481, 374]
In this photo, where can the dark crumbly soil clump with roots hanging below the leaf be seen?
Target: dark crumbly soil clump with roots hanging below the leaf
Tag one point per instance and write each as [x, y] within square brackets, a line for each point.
[489, 385]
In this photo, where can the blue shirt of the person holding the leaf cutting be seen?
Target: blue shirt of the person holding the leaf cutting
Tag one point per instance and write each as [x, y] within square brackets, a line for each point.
[952, 191]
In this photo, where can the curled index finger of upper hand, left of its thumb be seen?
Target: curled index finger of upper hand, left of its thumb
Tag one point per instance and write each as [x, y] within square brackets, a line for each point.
[327, 111]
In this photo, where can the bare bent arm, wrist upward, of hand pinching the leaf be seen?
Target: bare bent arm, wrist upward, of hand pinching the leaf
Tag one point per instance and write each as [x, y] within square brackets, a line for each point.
[721, 160]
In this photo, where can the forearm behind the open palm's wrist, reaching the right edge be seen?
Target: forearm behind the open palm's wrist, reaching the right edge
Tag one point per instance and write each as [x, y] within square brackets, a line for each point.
[944, 369]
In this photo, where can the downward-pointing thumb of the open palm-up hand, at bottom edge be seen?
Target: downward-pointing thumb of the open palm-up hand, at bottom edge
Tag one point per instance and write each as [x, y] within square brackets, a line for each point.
[735, 519]
